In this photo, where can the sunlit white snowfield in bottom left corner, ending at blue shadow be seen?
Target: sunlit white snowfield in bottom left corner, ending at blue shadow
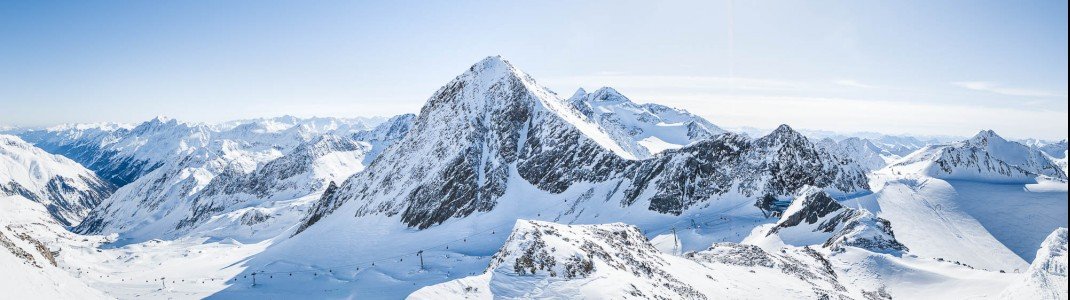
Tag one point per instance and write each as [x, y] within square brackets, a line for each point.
[90, 267]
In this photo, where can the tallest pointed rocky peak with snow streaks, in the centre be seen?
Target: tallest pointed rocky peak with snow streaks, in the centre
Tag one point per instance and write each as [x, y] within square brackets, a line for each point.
[468, 140]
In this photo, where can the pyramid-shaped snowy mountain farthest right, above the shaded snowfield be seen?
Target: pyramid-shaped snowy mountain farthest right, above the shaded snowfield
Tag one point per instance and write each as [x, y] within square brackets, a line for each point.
[987, 157]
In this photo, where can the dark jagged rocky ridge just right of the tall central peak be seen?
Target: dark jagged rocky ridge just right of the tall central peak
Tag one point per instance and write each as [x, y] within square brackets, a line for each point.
[776, 166]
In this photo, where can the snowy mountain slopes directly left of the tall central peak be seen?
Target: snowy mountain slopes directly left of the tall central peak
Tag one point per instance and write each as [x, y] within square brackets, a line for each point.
[243, 183]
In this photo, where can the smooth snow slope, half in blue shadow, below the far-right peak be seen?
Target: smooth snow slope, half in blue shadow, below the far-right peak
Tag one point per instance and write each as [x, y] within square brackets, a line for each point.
[987, 226]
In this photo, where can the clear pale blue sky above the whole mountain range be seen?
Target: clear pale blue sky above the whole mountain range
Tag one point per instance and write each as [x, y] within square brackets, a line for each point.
[894, 67]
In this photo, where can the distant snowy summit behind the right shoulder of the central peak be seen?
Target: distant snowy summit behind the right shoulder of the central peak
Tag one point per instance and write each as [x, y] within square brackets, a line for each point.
[644, 130]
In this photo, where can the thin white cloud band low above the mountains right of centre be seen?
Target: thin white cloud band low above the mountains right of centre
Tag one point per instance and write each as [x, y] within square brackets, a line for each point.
[832, 104]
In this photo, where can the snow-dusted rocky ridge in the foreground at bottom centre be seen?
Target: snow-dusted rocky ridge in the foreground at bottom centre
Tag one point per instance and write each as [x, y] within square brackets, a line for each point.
[543, 260]
